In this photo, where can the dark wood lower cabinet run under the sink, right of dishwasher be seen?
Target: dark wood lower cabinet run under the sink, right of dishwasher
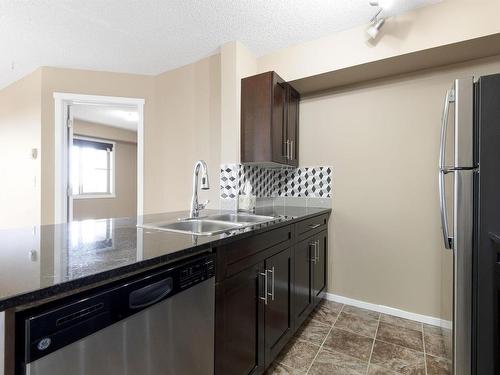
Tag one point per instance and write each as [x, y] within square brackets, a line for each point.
[266, 298]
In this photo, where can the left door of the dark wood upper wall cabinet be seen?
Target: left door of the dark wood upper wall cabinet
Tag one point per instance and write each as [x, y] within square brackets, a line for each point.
[278, 130]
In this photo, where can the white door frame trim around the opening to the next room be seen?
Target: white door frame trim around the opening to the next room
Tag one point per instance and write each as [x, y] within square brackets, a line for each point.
[61, 158]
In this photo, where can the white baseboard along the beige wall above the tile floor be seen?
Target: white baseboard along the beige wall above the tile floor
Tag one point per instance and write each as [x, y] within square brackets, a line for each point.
[390, 310]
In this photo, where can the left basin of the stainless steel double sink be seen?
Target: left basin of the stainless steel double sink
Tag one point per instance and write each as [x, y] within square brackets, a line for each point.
[194, 226]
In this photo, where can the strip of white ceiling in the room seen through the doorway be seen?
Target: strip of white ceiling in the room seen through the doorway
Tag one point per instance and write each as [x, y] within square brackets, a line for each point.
[117, 117]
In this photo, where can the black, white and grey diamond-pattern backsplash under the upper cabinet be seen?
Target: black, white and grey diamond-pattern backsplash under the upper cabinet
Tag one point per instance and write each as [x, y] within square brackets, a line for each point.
[307, 182]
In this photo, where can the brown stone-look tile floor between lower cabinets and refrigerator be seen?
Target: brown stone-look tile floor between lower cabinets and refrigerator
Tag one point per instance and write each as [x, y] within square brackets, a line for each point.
[346, 340]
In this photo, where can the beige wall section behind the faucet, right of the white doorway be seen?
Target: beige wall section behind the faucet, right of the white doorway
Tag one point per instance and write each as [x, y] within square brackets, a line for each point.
[188, 129]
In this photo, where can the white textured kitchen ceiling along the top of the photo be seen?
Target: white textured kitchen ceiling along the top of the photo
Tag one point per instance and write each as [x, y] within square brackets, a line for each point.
[152, 36]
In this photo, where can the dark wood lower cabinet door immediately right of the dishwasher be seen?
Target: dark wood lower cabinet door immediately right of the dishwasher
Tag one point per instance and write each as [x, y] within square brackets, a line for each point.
[240, 324]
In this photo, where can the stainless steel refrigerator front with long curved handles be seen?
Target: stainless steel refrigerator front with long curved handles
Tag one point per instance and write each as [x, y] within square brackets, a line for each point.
[456, 166]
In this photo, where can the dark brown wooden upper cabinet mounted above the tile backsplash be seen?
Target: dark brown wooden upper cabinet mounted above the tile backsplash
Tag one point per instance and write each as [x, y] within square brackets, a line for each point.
[269, 120]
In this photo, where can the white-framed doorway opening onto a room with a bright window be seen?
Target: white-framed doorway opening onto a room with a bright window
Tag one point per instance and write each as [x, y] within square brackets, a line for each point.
[99, 157]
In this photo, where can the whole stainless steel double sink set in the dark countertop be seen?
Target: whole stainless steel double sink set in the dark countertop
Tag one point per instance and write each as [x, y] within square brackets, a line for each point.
[212, 224]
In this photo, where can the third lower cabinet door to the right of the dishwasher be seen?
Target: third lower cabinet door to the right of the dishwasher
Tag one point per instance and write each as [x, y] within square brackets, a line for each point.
[302, 287]
